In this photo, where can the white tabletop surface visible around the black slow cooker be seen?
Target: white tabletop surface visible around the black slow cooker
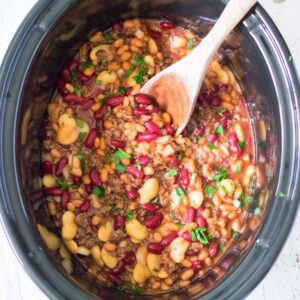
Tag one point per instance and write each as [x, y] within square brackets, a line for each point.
[282, 282]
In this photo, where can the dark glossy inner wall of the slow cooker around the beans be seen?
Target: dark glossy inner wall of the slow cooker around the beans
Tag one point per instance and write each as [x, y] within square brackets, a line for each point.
[63, 40]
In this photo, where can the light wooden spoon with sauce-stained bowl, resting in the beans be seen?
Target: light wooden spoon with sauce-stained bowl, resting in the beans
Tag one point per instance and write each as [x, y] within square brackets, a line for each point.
[176, 88]
